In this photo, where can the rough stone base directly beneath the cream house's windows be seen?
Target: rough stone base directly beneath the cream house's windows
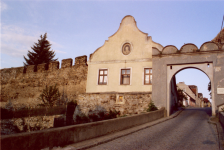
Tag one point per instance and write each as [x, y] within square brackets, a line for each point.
[134, 103]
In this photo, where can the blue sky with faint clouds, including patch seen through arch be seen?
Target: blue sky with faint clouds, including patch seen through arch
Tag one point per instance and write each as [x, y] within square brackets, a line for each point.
[76, 28]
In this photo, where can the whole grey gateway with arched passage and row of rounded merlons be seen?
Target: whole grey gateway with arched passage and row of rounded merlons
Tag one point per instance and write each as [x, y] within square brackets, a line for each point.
[168, 62]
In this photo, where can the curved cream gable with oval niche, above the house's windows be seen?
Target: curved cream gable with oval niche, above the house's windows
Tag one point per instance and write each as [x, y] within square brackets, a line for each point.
[140, 44]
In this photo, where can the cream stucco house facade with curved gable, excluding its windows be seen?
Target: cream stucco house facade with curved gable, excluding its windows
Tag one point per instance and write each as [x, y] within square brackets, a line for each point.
[111, 57]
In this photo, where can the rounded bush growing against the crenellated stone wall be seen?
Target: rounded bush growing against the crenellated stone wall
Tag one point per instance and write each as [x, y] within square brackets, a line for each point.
[50, 95]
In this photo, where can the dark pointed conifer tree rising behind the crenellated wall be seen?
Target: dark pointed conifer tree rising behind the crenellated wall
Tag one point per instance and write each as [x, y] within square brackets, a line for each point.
[41, 52]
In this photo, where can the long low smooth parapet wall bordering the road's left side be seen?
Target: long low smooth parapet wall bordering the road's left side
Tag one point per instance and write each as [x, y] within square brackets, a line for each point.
[76, 133]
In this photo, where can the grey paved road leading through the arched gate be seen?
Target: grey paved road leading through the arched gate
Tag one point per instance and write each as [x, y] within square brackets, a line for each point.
[188, 131]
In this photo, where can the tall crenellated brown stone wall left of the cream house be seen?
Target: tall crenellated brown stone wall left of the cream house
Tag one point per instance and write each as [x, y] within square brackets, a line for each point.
[24, 85]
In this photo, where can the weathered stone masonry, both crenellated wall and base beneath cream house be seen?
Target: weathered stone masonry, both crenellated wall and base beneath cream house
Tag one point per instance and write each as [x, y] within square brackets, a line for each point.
[23, 86]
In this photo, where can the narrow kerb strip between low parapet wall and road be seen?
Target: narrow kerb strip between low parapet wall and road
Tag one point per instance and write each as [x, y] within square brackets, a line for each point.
[104, 139]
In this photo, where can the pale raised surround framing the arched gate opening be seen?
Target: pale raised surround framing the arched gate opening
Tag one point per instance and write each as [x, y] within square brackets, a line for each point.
[172, 70]
